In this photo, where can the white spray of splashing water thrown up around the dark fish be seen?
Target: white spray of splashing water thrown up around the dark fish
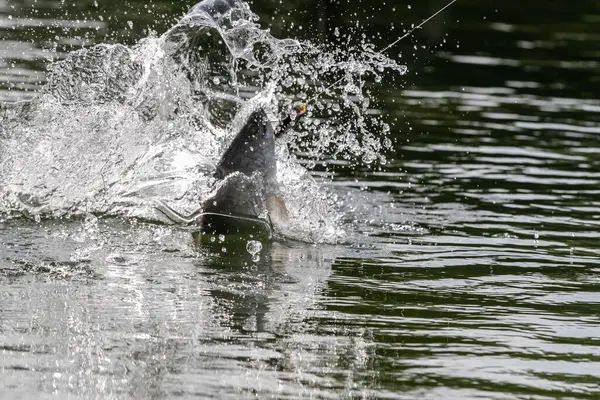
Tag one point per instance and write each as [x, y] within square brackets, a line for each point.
[117, 128]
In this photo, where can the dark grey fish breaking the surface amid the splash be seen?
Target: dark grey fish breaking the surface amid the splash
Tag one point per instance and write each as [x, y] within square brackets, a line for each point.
[245, 202]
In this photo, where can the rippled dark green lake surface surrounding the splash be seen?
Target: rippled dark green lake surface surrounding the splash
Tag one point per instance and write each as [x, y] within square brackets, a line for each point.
[470, 261]
